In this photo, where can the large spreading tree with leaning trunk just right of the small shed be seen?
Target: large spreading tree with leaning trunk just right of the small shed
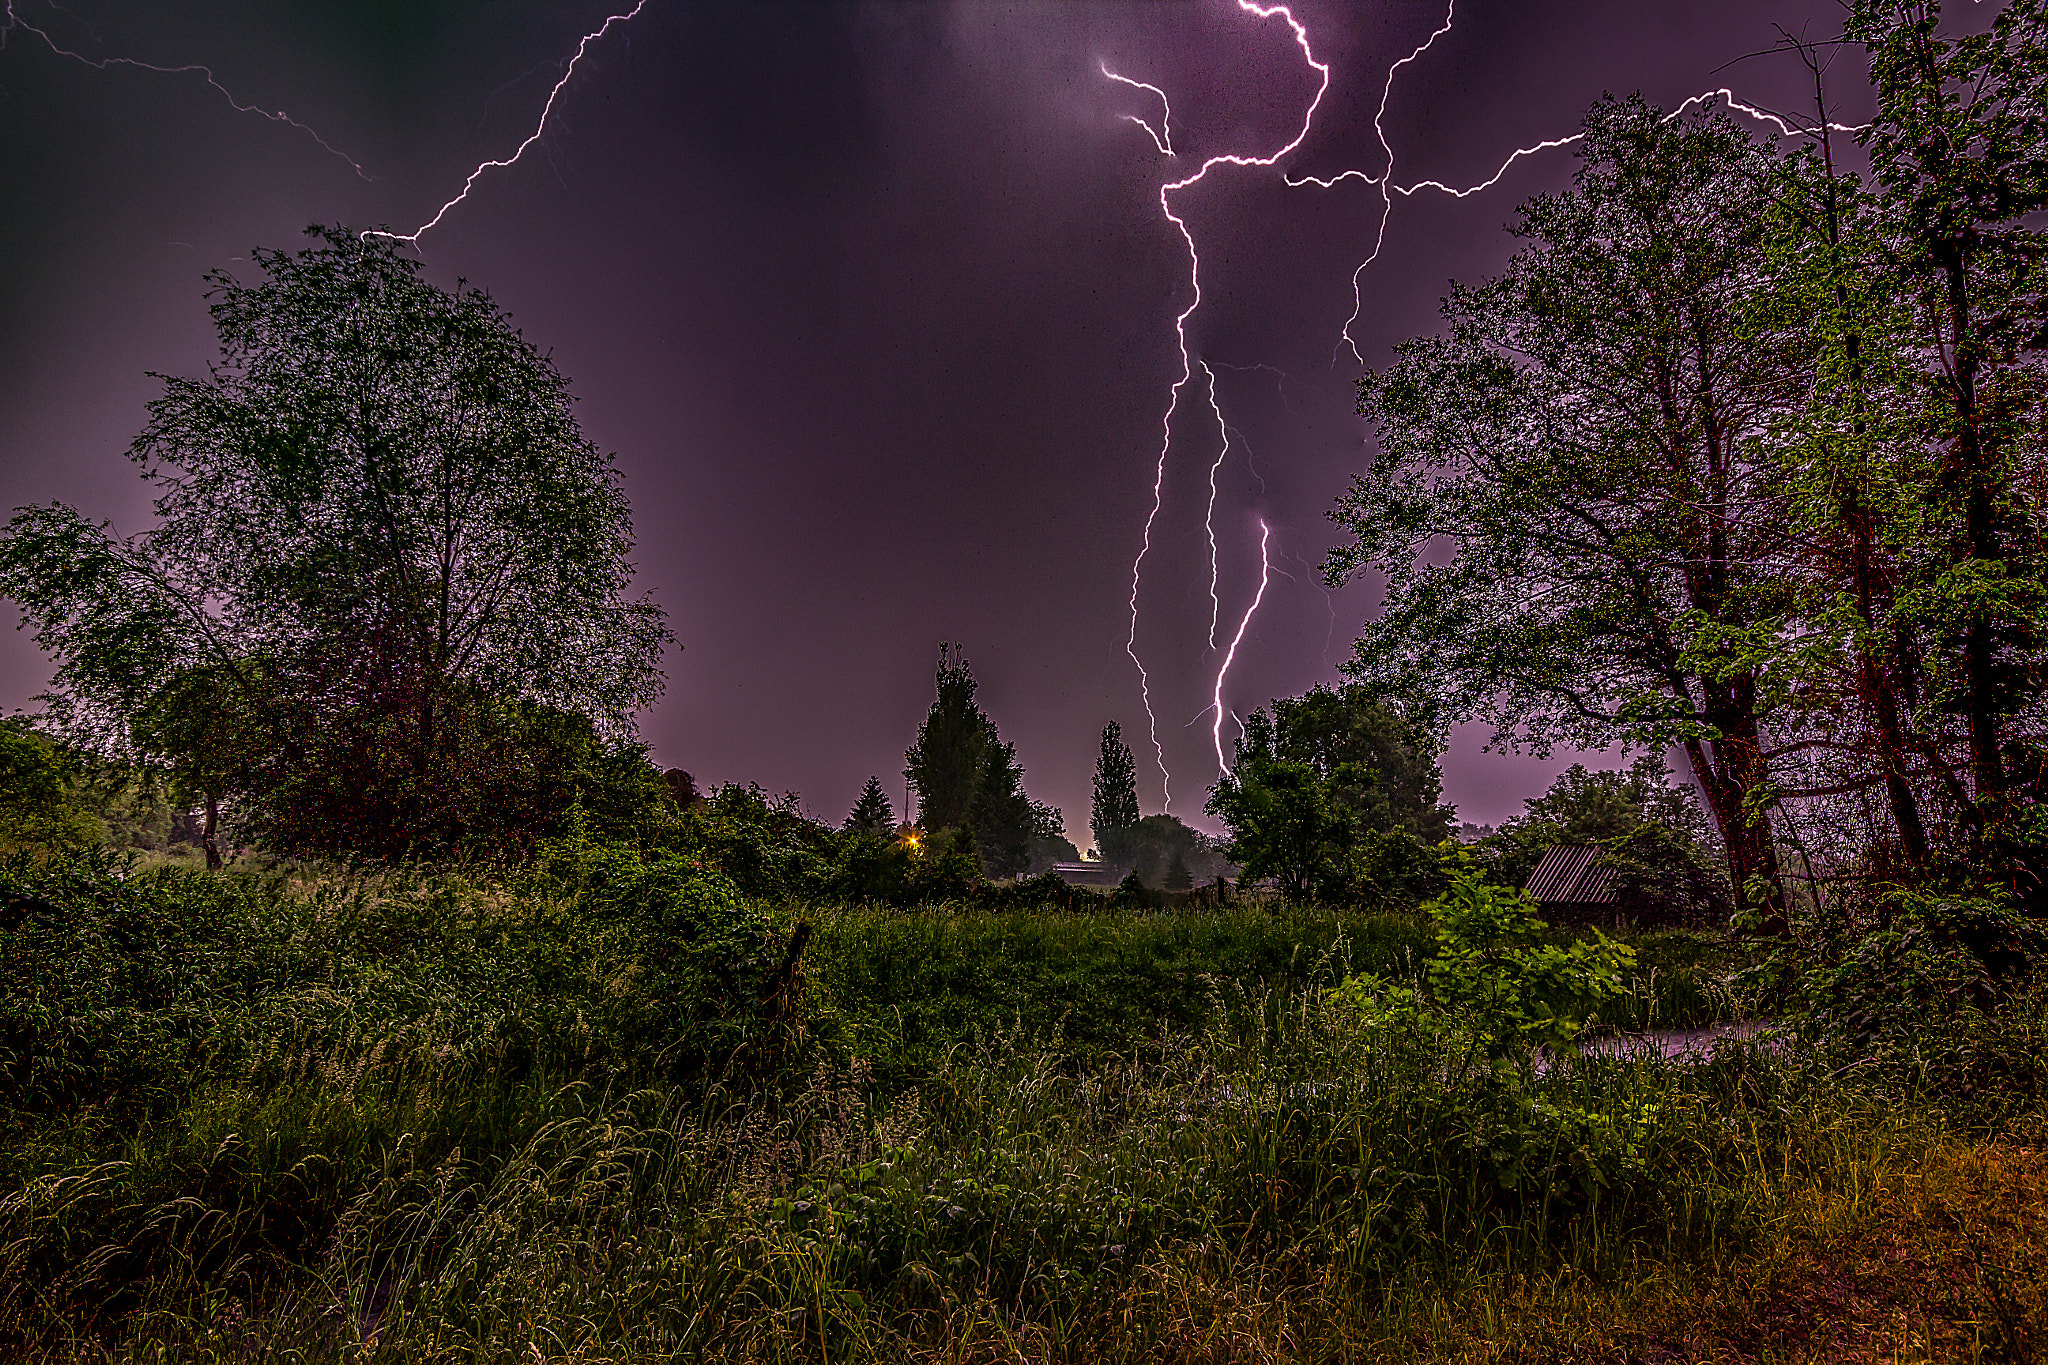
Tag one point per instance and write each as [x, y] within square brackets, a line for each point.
[1590, 443]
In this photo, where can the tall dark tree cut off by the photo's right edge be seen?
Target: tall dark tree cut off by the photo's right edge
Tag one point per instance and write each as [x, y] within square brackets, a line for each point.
[1961, 152]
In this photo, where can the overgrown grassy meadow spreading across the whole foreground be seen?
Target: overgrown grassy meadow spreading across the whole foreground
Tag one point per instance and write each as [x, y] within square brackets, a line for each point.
[302, 1114]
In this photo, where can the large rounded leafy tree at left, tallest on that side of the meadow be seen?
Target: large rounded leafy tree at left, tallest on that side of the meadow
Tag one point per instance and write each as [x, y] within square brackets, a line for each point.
[378, 523]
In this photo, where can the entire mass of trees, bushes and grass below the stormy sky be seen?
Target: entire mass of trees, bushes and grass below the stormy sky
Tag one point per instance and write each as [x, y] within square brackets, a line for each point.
[574, 1063]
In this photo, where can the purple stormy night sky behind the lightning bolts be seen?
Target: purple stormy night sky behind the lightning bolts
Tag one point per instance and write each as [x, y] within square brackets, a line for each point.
[873, 304]
